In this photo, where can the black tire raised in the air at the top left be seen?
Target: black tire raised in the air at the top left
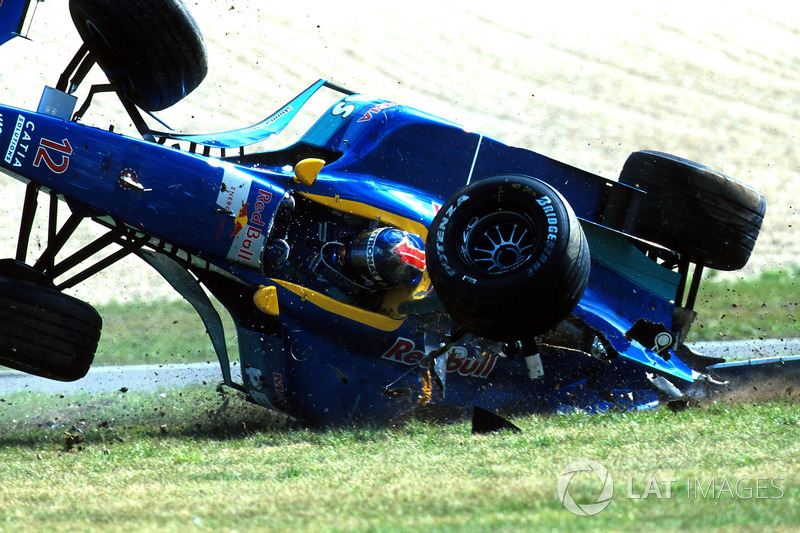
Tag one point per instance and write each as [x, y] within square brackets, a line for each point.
[152, 49]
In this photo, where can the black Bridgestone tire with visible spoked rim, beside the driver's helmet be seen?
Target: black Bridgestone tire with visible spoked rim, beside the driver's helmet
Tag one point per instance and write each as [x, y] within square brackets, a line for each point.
[495, 280]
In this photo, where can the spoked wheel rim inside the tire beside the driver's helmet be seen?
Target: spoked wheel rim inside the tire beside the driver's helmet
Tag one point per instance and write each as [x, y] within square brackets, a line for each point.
[498, 242]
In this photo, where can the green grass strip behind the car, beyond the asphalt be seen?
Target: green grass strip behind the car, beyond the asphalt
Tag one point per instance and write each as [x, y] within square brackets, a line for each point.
[169, 331]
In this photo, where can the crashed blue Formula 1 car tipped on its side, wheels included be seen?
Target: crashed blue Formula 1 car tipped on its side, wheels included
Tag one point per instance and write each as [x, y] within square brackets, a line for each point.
[389, 260]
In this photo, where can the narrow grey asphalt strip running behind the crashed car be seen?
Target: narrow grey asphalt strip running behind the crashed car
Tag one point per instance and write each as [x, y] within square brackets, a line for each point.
[161, 377]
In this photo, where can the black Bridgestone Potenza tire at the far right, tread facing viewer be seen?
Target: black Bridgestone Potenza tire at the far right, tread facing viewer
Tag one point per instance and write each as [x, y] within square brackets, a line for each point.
[702, 214]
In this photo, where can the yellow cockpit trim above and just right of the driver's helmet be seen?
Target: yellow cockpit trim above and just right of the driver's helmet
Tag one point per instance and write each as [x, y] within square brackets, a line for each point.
[394, 297]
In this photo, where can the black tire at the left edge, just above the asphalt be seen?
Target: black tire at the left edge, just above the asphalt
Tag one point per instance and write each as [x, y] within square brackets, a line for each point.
[45, 332]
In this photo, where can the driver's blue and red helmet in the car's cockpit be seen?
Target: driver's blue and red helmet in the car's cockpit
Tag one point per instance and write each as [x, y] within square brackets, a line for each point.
[387, 257]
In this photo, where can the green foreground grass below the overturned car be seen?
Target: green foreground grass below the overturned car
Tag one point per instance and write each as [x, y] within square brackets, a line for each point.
[191, 459]
